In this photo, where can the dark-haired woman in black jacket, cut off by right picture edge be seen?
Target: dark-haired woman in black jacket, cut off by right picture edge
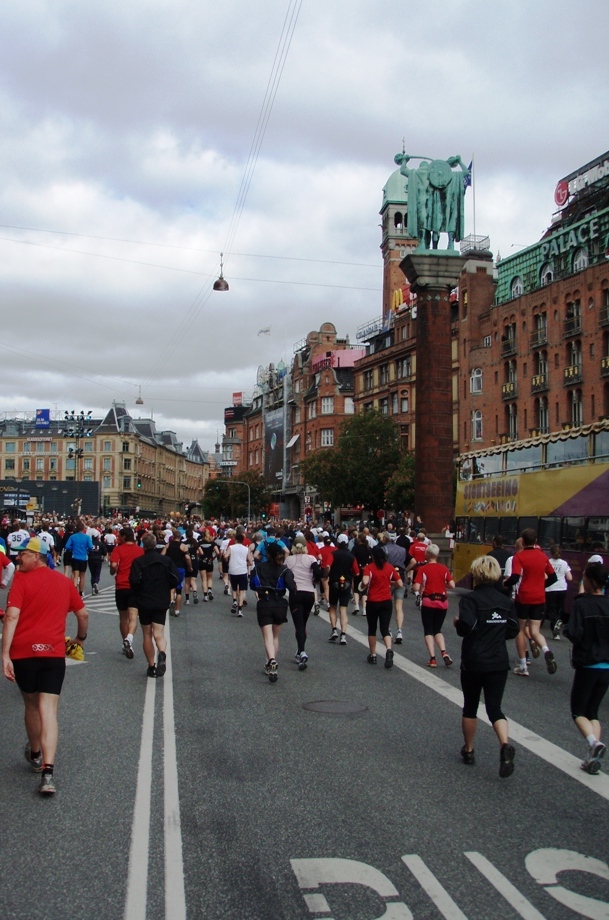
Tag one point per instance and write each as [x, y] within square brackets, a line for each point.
[588, 630]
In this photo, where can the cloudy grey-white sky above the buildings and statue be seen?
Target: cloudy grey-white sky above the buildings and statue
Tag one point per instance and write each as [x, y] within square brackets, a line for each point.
[141, 138]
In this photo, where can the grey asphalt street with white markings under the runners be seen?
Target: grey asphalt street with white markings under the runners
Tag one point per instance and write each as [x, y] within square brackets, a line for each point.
[337, 792]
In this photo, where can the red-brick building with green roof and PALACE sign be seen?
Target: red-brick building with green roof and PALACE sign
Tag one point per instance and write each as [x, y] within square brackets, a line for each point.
[534, 353]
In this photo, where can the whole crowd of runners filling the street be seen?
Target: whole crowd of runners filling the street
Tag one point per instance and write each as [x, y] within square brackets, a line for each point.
[293, 567]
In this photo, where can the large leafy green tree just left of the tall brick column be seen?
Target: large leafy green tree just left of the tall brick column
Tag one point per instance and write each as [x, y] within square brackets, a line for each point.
[359, 467]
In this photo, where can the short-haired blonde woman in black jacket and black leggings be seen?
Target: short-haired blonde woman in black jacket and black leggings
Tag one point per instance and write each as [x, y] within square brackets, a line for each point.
[487, 619]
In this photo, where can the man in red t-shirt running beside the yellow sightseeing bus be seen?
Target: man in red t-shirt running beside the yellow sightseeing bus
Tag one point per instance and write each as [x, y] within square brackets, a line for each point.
[533, 568]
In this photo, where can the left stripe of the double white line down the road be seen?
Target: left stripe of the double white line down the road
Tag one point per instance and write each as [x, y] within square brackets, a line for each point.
[137, 879]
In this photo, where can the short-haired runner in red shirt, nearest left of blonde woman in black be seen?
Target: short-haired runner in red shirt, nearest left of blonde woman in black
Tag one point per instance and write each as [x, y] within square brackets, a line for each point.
[431, 582]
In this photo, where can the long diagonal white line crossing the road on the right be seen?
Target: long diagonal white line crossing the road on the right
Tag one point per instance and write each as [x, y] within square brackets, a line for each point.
[533, 742]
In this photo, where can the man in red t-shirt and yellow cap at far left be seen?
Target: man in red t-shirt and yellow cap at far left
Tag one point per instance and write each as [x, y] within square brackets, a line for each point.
[34, 649]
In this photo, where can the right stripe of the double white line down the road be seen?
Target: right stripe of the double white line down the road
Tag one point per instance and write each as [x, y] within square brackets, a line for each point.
[175, 896]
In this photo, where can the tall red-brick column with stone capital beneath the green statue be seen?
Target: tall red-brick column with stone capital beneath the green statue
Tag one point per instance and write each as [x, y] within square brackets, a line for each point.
[432, 277]
